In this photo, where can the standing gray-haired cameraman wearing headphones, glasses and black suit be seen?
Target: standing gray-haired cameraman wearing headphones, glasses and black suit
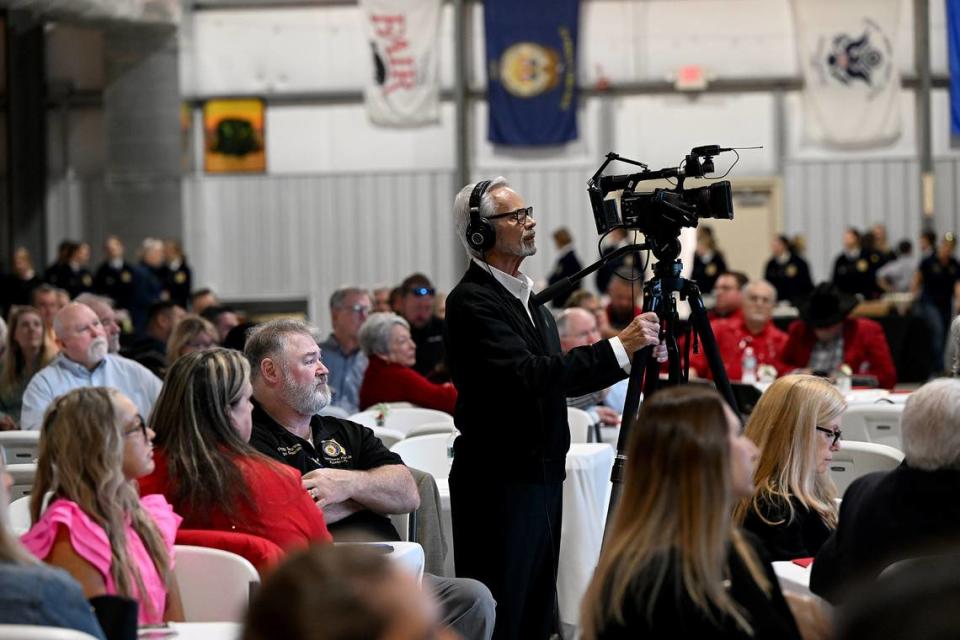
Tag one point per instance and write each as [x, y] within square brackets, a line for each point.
[504, 355]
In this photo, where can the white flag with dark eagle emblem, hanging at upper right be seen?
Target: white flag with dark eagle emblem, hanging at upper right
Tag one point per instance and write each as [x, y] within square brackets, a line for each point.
[852, 85]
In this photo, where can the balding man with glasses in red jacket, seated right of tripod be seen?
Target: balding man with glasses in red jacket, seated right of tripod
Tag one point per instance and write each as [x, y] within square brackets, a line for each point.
[752, 328]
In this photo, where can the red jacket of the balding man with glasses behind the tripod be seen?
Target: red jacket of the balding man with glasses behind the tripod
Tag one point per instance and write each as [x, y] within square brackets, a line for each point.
[733, 338]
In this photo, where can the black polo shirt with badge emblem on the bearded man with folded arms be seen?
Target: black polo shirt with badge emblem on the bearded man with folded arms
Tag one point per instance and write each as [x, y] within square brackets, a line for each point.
[342, 445]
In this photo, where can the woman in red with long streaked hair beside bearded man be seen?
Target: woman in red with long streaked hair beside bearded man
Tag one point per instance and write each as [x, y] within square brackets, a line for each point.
[205, 467]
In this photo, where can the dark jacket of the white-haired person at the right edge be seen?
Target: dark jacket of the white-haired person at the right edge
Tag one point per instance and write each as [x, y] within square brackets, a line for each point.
[886, 517]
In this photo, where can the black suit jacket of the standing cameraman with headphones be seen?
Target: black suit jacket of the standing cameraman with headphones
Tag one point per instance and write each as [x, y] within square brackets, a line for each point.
[512, 381]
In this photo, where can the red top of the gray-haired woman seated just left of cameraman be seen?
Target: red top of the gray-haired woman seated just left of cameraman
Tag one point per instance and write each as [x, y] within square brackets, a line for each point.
[390, 382]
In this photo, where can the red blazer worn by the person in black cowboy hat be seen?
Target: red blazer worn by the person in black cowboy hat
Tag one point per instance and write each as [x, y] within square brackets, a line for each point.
[865, 349]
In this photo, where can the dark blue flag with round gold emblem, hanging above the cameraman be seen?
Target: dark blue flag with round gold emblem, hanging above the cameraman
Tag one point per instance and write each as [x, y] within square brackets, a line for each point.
[531, 70]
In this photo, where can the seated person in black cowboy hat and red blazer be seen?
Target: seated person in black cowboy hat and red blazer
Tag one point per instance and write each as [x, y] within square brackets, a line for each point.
[825, 338]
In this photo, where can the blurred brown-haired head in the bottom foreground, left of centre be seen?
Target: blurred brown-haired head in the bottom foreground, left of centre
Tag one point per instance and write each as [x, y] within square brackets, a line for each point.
[342, 593]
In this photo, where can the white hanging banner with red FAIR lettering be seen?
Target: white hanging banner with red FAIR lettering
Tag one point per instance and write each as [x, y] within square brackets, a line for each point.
[402, 39]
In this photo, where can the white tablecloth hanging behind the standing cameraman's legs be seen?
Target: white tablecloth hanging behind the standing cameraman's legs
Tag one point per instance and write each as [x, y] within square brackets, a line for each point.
[586, 495]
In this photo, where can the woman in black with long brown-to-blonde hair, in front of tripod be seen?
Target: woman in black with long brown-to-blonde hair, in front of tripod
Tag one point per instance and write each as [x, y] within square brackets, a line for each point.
[674, 564]
